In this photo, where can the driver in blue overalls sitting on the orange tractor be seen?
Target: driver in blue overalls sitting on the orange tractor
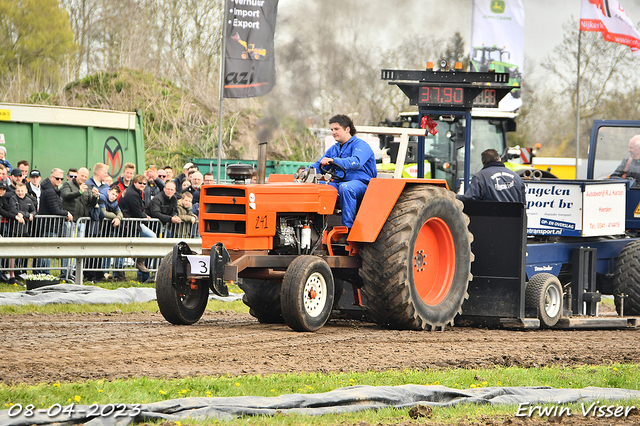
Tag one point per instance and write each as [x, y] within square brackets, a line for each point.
[357, 158]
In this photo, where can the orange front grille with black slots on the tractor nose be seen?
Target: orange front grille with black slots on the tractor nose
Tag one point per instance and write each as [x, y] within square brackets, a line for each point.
[224, 210]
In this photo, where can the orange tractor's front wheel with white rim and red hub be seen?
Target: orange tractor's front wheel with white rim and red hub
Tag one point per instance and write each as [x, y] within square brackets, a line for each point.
[307, 293]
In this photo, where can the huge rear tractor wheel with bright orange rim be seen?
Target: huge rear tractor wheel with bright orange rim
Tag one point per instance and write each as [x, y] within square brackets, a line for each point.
[417, 272]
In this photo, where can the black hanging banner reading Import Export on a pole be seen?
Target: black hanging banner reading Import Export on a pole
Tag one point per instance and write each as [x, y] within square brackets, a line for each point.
[250, 65]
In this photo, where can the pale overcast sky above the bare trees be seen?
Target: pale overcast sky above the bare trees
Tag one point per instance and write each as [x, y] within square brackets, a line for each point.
[389, 22]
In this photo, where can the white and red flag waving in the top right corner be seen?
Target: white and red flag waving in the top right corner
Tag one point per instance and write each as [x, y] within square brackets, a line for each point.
[609, 18]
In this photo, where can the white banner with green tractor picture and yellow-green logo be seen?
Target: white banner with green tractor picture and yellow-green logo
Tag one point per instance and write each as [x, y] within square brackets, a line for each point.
[497, 43]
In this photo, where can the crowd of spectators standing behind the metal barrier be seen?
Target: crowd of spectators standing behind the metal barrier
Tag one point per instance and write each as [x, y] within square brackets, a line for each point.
[25, 195]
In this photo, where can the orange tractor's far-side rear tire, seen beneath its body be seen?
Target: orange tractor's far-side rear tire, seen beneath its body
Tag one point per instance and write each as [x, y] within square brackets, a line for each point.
[263, 299]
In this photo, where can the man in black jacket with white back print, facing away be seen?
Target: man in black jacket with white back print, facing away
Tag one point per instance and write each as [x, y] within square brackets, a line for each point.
[495, 182]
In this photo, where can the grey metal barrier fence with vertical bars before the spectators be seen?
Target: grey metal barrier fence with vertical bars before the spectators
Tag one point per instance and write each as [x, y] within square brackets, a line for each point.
[58, 226]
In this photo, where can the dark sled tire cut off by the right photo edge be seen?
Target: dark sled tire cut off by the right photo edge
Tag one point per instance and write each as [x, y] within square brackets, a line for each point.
[626, 279]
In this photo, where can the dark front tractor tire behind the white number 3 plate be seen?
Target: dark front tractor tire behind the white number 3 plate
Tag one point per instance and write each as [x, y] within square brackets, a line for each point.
[179, 309]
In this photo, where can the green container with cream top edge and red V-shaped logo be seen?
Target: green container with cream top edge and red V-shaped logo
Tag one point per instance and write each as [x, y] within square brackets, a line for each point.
[60, 137]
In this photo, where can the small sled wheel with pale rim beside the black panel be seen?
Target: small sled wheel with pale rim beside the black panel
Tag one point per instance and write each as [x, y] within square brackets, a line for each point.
[544, 292]
